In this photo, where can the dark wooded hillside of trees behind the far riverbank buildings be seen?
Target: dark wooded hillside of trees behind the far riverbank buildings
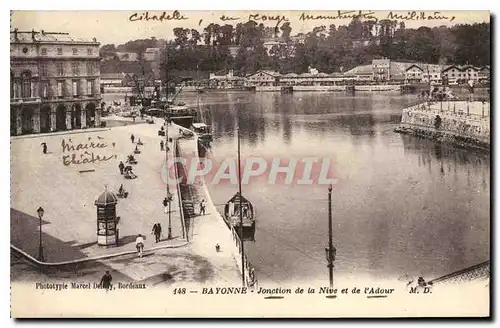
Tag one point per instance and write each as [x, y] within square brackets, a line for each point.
[328, 48]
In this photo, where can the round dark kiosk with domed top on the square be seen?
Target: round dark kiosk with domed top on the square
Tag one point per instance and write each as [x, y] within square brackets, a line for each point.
[106, 219]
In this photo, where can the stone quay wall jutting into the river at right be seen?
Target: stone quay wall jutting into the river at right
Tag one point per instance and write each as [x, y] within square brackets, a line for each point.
[470, 131]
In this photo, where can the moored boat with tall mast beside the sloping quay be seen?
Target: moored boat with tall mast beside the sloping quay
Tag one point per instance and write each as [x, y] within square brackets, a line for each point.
[247, 219]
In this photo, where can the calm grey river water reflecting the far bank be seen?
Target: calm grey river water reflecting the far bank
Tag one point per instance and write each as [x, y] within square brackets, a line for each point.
[402, 205]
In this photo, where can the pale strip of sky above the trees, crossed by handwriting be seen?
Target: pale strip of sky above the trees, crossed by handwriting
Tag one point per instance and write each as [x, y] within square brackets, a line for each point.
[116, 26]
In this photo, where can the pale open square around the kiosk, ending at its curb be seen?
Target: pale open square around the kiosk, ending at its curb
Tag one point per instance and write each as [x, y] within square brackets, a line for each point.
[67, 192]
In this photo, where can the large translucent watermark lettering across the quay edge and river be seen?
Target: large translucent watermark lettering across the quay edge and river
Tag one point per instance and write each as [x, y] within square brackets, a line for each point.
[253, 169]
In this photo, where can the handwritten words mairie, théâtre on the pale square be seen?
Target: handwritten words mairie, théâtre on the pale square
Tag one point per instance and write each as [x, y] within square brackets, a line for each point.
[87, 155]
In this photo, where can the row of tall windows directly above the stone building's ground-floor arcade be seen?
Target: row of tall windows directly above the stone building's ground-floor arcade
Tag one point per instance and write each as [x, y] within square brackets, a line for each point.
[26, 89]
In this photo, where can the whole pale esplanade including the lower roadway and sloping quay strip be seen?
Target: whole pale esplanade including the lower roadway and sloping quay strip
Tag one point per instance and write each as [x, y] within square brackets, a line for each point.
[67, 196]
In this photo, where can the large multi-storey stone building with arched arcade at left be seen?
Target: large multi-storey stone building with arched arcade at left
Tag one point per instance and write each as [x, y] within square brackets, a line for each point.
[55, 82]
